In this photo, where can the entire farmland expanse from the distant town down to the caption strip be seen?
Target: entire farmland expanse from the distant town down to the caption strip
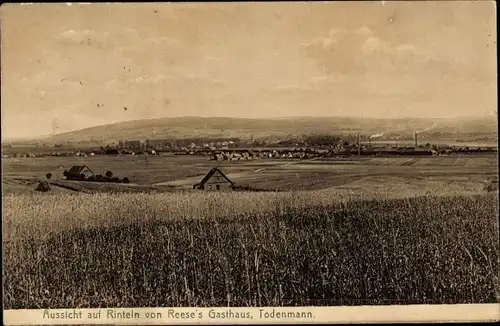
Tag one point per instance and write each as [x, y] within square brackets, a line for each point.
[342, 232]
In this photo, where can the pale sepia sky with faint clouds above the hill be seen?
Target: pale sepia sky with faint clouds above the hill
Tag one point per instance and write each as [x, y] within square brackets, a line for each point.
[72, 66]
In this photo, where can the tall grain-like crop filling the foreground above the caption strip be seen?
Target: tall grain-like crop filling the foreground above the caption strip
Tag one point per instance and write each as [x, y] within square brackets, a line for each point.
[247, 249]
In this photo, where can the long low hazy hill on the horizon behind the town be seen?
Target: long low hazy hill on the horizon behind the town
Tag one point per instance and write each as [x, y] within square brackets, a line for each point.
[220, 127]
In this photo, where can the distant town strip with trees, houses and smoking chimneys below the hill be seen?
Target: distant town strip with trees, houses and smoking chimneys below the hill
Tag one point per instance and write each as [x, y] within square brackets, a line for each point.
[235, 149]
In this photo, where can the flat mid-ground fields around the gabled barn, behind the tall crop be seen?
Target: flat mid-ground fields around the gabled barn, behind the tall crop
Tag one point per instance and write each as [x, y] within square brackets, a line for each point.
[359, 174]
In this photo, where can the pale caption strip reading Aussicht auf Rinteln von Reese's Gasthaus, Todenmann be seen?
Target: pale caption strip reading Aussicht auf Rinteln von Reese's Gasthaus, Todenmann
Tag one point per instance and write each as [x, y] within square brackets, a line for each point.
[355, 314]
